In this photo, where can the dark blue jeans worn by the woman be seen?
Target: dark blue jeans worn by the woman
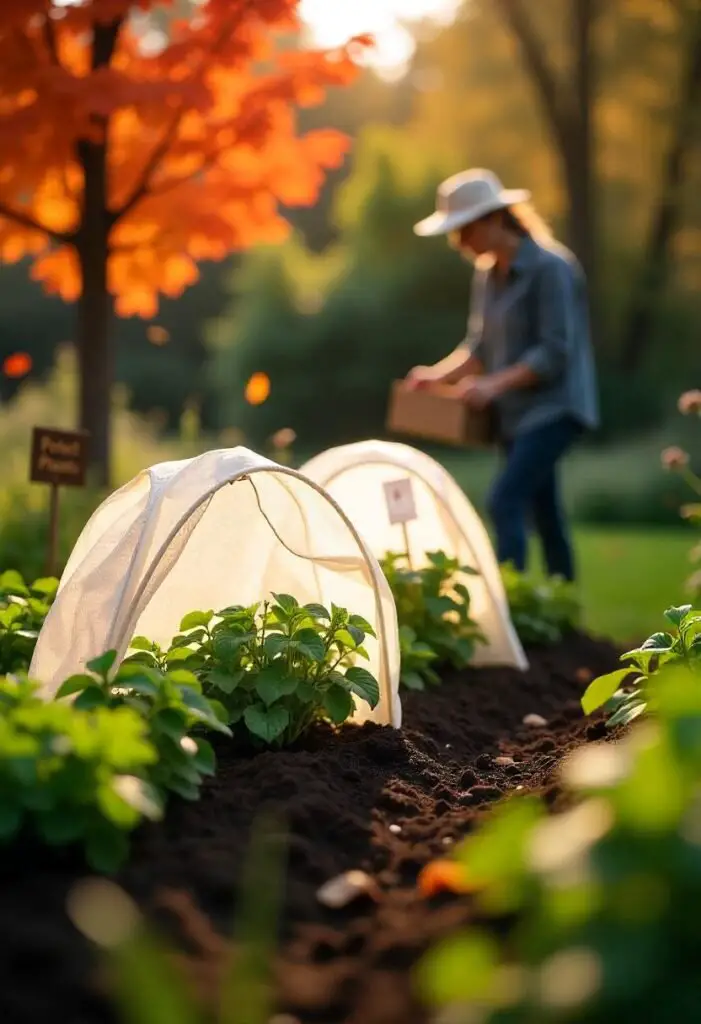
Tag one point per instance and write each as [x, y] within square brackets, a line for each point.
[528, 492]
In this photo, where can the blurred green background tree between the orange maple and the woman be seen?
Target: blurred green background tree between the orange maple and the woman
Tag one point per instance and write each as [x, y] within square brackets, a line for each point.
[344, 324]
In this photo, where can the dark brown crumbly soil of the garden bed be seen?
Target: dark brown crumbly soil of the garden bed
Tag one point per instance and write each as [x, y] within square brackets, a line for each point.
[340, 797]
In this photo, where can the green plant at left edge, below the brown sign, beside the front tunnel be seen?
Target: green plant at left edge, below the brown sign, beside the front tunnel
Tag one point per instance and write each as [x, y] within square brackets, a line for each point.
[23, 611]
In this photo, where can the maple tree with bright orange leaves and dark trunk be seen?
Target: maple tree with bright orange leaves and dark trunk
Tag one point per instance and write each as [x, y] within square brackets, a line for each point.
[135, 144]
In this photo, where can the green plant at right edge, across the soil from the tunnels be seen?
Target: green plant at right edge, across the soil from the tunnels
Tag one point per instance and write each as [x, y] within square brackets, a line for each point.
[681, 647]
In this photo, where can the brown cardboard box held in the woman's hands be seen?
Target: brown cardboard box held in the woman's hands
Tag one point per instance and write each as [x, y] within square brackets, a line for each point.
[435, 414]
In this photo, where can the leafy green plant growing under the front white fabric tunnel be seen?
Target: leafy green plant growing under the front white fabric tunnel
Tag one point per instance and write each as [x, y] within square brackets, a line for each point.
[276, 668]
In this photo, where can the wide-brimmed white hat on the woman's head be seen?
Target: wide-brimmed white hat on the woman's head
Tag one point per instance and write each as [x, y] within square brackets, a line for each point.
[466, 198]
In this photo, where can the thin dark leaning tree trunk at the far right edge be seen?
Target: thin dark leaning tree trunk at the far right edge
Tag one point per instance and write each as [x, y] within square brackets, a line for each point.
[656, 264]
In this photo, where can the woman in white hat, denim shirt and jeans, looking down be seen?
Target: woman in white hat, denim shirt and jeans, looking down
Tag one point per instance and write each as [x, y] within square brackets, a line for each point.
[528, 356]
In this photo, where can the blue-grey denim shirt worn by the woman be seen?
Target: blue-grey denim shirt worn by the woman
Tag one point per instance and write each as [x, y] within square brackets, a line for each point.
[538, 318]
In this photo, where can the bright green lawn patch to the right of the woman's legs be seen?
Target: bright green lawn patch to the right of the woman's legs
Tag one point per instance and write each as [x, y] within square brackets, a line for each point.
[629, 578]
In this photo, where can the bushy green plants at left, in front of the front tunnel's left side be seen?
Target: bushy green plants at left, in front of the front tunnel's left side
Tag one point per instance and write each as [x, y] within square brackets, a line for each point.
[90, 770]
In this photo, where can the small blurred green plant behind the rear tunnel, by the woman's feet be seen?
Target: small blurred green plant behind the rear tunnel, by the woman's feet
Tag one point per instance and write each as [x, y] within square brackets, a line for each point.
[543, 612]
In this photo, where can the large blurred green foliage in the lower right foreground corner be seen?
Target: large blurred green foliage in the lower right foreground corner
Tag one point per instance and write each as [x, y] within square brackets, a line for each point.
[593, 912]
